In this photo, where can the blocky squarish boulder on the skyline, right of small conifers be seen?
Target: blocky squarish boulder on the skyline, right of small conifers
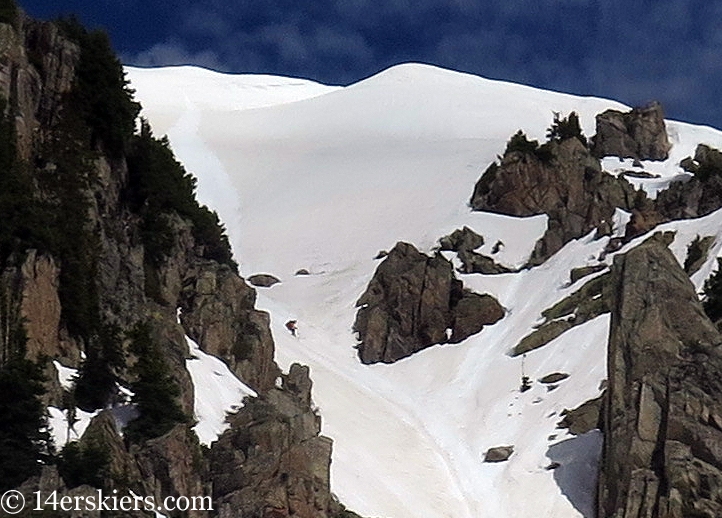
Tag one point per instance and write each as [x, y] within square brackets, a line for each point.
[639, 134]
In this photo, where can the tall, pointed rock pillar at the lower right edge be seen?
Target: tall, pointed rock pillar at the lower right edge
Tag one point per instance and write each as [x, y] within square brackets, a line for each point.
[662, 455]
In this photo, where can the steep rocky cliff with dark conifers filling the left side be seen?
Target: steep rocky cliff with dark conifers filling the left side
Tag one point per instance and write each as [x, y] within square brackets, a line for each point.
[103, 247]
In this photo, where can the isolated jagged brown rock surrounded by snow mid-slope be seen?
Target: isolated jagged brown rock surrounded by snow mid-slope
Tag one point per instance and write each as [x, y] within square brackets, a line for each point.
[411, 302]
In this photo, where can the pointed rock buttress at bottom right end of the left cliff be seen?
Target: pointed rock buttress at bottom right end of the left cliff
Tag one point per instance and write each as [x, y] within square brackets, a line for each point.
[272, 462]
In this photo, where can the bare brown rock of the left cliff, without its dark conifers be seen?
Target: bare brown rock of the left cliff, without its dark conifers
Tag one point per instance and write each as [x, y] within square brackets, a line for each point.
[272, 462]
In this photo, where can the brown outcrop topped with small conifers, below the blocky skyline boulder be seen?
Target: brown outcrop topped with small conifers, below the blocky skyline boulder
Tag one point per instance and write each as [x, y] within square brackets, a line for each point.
[569, 187]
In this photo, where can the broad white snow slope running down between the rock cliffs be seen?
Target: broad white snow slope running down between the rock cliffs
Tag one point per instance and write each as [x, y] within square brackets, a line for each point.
[322, 178]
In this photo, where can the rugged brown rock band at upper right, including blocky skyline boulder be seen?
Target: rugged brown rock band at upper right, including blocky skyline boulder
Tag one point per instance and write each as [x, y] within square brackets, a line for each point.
[564, 179]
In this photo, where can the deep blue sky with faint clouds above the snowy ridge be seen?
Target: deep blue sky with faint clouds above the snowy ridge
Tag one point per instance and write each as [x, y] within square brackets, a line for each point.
[632, 51]
